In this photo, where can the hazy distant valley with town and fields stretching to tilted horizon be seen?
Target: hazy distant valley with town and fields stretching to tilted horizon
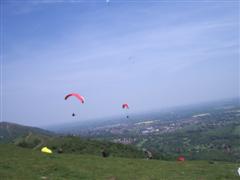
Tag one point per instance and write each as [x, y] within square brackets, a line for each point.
[205, 131]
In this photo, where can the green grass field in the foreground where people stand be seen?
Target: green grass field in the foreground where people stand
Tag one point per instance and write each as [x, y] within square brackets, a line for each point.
[19, 163]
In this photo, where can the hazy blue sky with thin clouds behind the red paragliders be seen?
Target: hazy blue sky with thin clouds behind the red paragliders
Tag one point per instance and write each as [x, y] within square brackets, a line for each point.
[150, 54]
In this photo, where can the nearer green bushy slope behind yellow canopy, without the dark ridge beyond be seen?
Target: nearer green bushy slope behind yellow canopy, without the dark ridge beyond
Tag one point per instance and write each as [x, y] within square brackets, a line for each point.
[77, 145]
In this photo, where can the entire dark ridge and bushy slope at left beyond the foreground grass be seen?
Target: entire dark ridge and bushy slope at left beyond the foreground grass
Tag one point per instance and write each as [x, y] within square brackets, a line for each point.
[35, 138]
